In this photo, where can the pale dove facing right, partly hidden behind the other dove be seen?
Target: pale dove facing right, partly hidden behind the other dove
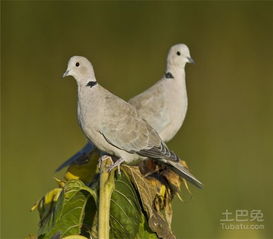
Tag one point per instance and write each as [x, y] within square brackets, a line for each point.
[163, 105]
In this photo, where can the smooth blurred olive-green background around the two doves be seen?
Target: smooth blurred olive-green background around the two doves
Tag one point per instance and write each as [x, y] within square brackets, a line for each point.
[227, 137]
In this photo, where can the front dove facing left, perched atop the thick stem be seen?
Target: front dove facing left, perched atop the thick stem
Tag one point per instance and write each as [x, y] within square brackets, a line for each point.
[115, 126]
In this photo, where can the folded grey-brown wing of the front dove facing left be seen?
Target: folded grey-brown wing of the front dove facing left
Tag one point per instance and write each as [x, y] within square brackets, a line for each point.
[123, 128]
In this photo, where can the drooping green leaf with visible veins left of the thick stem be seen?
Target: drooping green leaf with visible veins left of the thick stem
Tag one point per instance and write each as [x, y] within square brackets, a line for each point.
[65, 217]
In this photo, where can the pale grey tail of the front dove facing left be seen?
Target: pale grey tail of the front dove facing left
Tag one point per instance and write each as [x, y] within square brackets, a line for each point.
[183, 172]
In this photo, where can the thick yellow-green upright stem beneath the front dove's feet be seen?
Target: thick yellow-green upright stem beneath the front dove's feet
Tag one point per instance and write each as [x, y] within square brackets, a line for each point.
[107, 186]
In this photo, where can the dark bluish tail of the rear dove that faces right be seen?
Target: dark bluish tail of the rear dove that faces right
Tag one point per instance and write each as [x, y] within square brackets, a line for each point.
[79, 157]
